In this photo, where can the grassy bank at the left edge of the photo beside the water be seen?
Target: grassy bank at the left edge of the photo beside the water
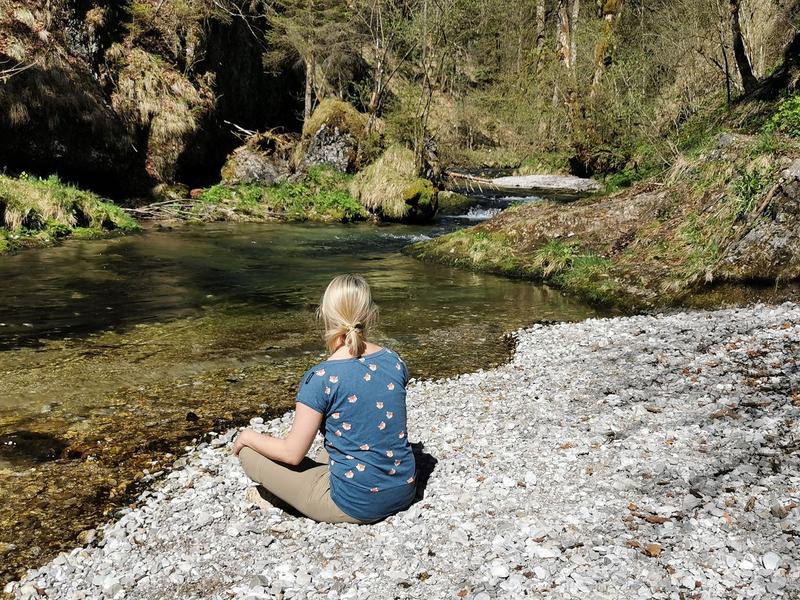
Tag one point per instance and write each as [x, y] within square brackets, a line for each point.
[36, 211]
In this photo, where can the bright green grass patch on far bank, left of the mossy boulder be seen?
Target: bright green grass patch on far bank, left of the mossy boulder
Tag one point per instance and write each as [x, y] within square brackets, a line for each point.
[321, 196]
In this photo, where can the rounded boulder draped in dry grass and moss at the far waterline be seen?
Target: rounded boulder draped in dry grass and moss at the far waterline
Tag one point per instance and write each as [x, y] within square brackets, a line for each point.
[391, 188]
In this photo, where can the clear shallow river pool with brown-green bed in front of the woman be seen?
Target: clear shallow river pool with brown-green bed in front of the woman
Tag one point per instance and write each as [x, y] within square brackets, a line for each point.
[115, 354]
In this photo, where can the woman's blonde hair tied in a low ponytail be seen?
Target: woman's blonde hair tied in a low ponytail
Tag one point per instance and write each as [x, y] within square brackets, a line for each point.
[347, 311]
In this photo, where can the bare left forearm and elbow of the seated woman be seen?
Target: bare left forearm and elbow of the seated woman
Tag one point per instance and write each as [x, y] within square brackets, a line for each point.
[291, 449]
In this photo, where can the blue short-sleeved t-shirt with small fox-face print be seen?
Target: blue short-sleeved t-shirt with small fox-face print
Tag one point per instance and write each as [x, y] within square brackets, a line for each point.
[363, 405]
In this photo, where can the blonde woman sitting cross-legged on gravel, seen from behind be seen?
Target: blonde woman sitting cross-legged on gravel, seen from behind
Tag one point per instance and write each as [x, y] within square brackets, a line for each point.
[357, 400]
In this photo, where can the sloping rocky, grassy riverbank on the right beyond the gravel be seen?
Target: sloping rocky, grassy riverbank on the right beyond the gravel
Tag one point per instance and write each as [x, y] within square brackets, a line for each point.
[730, 215]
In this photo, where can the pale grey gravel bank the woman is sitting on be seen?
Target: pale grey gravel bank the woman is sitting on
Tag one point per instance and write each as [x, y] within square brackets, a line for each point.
[640, 457]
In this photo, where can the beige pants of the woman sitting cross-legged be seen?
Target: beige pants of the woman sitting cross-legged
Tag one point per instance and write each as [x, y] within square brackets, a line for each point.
[307, 487]
